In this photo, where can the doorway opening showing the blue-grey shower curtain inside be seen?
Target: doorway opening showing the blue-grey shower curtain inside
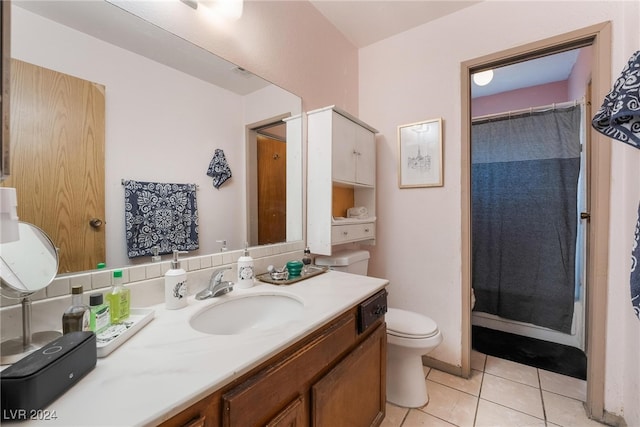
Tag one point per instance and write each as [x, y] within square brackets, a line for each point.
[528, 191]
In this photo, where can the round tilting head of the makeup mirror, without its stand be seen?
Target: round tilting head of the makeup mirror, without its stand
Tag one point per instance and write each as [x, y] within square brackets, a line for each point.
[28, 264]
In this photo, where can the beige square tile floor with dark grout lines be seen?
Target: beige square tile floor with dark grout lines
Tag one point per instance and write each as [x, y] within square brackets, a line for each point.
[499, 393]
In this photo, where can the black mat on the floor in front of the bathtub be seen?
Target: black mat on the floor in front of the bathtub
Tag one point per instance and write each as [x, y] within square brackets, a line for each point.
[546, 355]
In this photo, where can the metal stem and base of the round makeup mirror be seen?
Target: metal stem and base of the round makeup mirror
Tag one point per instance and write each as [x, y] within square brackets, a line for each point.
[15, 349]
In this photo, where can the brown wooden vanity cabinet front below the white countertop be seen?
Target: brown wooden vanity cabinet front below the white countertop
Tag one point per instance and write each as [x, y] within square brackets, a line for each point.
[335, 376]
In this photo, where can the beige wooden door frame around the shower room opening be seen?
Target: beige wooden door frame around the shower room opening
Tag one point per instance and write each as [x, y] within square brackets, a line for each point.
[598, 169]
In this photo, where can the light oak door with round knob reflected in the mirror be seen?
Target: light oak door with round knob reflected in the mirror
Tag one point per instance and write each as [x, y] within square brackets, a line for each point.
[57, 150]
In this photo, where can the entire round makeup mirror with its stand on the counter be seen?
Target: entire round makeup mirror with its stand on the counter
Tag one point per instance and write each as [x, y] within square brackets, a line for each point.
[27, 265]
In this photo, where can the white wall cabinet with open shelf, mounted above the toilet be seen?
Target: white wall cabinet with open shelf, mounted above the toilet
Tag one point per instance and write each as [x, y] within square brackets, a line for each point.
[341, 173]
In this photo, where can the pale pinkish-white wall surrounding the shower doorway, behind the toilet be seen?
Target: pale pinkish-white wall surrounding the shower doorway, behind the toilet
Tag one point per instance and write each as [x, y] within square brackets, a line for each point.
[416, 76]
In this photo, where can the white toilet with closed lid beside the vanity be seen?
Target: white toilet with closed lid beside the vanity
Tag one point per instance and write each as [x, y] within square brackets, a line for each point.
[409, 336]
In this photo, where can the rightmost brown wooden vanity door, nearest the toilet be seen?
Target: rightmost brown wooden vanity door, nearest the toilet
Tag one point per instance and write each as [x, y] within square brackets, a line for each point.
[353, 393]
